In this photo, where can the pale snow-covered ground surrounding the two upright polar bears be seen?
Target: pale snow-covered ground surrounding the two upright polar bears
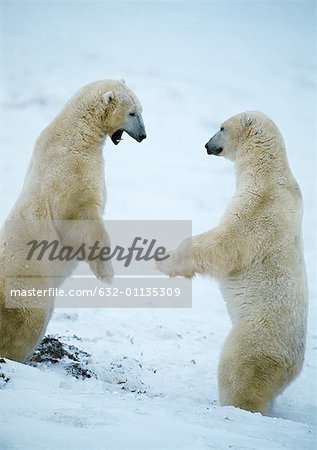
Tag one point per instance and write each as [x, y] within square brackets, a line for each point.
[192, 64]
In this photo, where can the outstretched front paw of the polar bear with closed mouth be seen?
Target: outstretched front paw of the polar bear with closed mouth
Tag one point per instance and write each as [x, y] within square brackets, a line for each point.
[179, 262]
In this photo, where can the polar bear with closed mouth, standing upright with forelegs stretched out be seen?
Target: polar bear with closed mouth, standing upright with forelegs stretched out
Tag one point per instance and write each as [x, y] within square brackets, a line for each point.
[256, 255]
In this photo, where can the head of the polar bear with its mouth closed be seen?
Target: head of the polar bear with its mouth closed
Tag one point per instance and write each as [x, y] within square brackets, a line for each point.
[240, 133]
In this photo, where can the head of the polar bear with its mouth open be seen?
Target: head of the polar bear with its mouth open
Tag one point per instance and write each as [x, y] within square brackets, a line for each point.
[114, 108]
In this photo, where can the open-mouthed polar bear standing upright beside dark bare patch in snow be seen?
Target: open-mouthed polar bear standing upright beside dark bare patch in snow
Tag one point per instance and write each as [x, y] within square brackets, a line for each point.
[65, 182]
